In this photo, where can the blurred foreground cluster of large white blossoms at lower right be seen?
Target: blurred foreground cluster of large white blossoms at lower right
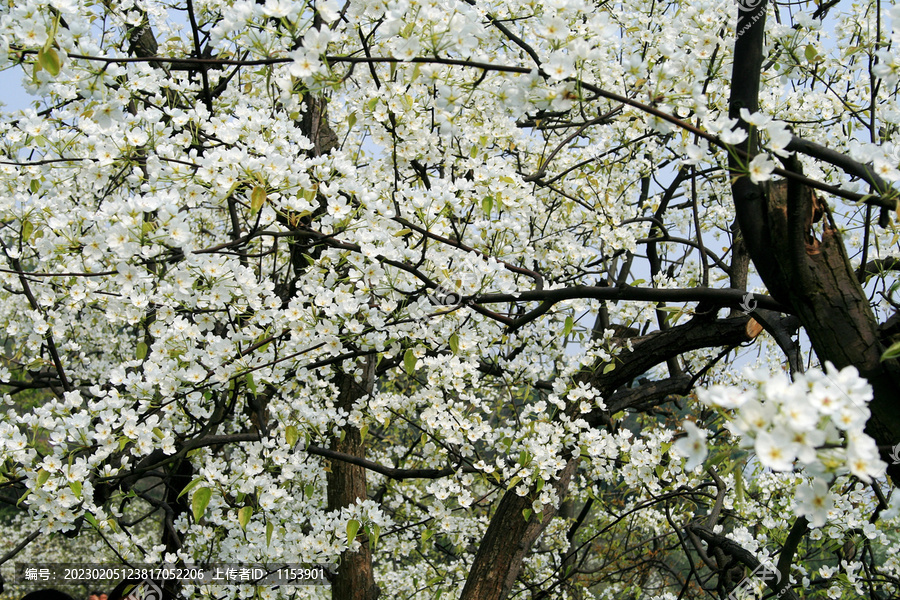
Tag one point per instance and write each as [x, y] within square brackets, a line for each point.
[813, 424]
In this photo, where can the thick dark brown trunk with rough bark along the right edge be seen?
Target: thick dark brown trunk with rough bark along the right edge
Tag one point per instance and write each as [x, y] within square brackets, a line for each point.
[812, 276]
